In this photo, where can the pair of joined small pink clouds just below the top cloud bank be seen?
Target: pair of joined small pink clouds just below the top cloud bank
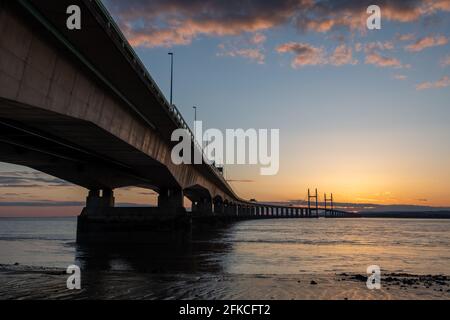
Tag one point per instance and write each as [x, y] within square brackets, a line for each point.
[307, 55]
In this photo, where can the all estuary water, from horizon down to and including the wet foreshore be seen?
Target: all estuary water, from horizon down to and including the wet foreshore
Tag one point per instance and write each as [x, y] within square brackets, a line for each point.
[259, 259]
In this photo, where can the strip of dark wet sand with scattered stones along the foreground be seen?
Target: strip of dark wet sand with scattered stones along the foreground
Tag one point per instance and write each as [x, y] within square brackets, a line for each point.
[20, 282]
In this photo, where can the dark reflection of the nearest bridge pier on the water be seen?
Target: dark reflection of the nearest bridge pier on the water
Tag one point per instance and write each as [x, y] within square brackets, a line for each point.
[200, 251]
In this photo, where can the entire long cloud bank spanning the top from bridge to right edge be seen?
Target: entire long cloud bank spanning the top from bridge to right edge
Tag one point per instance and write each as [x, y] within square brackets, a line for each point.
[178, 22]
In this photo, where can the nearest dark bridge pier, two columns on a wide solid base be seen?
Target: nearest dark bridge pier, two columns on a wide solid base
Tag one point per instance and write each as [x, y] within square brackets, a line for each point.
[101, 222]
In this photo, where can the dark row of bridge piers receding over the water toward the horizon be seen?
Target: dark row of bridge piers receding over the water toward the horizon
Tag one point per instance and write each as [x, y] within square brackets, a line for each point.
[102, 221]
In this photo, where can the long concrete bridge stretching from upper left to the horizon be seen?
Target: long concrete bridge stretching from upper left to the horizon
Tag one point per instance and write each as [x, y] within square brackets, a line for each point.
[80, 105]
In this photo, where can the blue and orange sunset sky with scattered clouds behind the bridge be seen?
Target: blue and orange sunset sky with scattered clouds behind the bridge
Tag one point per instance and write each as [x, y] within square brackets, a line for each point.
[362, 113]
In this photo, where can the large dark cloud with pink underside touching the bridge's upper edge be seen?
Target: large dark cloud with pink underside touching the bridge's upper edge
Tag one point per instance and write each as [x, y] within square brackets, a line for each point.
[178, 22]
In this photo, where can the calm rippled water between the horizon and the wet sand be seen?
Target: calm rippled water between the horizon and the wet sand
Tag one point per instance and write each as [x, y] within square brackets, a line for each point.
[284, 246]
